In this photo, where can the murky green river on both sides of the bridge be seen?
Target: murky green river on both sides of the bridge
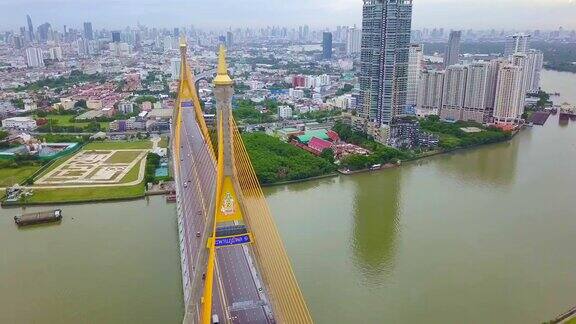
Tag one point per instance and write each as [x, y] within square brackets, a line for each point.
[484, 235]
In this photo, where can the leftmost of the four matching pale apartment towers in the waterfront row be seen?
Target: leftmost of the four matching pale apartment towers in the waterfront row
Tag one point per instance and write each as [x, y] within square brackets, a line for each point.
[430, 93]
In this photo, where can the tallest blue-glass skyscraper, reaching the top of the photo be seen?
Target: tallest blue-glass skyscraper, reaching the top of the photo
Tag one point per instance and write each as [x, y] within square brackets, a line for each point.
[384, 58]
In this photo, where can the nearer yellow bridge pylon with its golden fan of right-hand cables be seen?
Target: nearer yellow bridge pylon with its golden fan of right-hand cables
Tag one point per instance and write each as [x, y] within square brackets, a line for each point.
[239, 200]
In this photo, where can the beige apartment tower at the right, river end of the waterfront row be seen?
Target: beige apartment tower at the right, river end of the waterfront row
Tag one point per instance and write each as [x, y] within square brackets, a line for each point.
[507, 106]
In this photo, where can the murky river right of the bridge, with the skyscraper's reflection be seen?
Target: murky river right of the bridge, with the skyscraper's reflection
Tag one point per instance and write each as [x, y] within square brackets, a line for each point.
[484, 235]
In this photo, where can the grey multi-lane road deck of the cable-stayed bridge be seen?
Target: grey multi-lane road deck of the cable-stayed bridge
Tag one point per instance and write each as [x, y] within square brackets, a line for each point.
[236, 294]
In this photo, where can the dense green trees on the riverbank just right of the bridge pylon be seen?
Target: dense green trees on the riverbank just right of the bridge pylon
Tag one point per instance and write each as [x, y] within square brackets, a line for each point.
[276, 161]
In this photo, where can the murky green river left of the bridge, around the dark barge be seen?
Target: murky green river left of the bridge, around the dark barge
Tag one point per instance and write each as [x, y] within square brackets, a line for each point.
[105, 263]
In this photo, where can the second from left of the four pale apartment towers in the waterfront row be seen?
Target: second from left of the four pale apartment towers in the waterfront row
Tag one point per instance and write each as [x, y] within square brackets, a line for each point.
[454, 92]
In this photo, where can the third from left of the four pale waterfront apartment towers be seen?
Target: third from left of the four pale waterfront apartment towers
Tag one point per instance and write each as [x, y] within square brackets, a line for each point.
[475, 94]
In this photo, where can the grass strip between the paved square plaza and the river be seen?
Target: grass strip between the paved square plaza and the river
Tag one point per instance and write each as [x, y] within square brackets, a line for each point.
[86, 194]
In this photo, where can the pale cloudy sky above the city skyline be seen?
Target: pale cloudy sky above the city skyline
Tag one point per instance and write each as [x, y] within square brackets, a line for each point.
[461, 14]
